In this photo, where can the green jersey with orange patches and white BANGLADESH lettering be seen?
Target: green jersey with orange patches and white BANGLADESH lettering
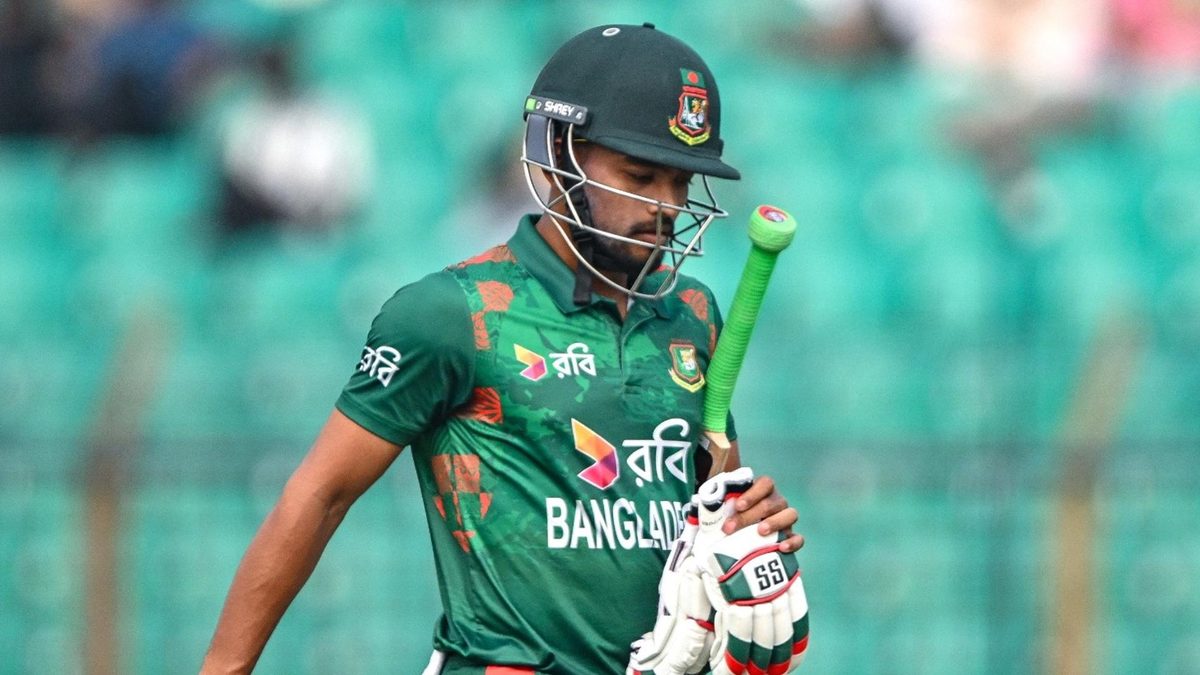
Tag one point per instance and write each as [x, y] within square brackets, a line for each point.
[554, 445]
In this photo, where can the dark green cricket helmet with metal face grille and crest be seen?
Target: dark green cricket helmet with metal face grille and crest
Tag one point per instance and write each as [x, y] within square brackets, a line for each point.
[643, 93]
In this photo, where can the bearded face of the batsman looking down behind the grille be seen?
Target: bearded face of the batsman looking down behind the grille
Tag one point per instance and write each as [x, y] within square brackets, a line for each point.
[631, 218]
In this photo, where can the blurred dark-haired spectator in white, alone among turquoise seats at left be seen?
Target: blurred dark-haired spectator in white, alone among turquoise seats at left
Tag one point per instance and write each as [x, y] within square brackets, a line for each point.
[292, 158]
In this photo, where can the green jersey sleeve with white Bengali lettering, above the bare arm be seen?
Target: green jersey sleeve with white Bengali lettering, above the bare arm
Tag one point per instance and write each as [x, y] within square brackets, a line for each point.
[418, 363]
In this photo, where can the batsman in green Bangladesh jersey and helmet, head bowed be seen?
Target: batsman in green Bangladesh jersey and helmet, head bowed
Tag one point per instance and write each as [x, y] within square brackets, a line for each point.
[551, 390]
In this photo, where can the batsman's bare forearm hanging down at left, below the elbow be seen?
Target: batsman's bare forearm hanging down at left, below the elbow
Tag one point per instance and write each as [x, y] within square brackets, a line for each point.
[275, 568]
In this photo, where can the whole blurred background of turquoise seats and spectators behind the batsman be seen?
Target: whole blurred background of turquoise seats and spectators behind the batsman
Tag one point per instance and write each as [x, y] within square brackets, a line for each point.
[977, 374]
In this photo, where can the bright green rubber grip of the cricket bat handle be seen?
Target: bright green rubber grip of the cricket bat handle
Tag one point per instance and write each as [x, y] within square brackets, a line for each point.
[771, 231]
